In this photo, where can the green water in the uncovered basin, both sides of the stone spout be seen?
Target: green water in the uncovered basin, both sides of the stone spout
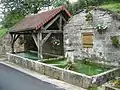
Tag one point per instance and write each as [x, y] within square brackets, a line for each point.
[81, 67]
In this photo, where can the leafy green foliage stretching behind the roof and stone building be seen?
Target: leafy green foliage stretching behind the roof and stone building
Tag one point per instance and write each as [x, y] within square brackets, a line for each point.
[15, 10]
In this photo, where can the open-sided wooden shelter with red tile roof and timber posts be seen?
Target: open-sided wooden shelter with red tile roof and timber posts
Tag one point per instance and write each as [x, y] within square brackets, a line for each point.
[40, 27]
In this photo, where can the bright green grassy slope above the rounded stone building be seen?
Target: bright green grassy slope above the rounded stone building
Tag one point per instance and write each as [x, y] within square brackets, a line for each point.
[115, 7]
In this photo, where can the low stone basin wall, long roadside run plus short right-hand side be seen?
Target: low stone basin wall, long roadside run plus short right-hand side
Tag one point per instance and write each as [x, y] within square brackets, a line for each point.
[68, 76]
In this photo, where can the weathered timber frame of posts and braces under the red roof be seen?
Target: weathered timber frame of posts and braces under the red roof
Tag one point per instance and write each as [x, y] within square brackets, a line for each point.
[59, 19]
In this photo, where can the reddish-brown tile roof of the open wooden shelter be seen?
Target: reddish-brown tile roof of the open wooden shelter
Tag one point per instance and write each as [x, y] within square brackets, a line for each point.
[37, 20]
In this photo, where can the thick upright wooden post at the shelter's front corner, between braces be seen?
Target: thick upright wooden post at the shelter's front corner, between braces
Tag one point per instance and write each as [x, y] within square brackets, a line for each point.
[39, 36]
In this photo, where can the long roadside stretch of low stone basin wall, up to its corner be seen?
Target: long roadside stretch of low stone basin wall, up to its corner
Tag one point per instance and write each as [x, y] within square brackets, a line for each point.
[54, 72]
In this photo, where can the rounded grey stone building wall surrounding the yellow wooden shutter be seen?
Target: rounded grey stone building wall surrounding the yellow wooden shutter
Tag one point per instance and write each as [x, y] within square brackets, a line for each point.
[102, 44]
